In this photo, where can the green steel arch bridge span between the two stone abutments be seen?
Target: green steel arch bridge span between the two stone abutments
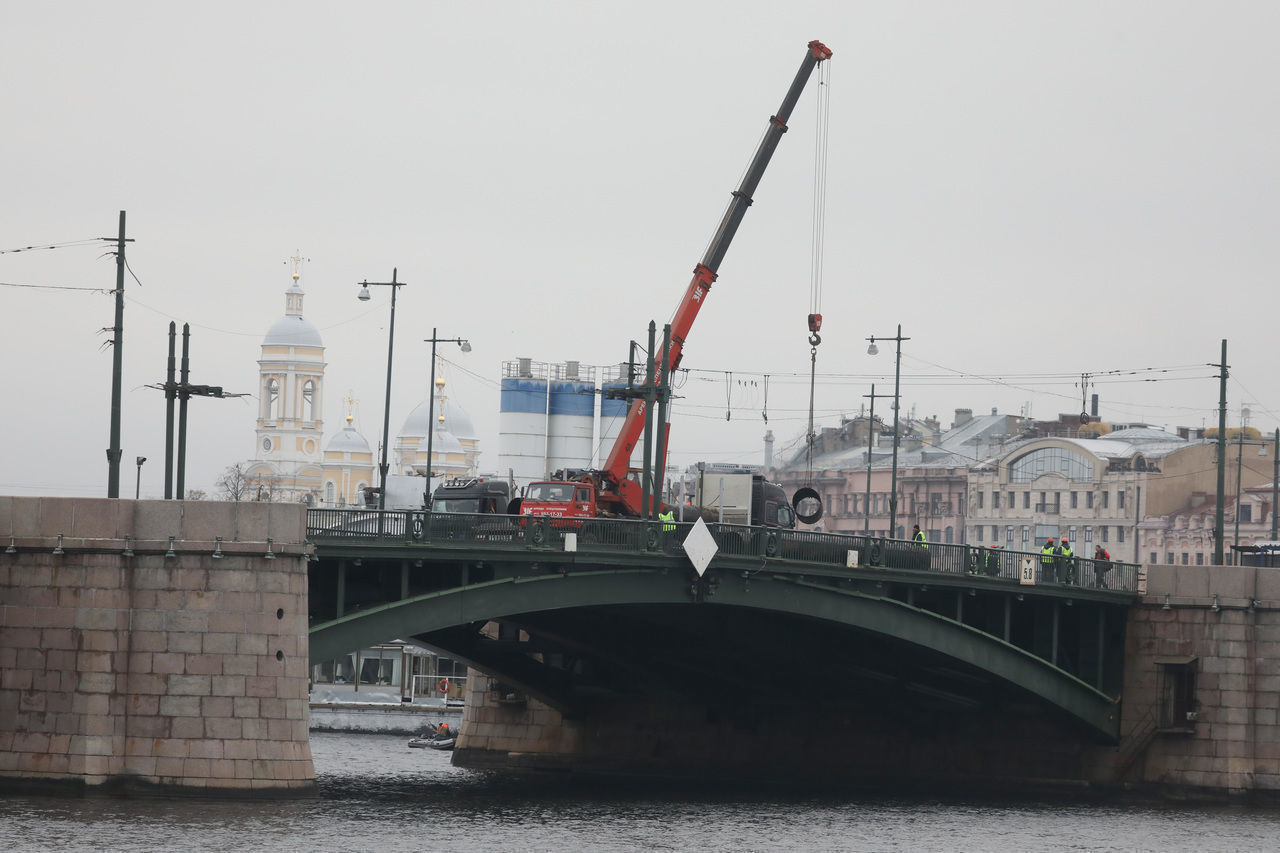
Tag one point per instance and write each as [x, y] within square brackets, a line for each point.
[578, 612]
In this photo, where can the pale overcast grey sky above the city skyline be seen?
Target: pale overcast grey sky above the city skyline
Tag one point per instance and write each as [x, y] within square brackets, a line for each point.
[1034, 190]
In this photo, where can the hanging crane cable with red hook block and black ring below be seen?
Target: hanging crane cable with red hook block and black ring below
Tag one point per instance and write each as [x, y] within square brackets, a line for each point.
[808, 496]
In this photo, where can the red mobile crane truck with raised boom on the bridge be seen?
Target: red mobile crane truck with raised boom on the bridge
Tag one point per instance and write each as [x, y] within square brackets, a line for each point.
[611, 492]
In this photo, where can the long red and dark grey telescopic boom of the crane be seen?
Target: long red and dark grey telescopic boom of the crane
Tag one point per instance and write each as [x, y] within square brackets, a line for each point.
[620, 495]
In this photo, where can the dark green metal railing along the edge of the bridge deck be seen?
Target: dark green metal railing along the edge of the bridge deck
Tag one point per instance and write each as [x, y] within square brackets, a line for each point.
[630, 536]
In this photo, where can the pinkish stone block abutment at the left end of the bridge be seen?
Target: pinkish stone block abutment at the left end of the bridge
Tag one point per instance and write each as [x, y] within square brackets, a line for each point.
[185, 672]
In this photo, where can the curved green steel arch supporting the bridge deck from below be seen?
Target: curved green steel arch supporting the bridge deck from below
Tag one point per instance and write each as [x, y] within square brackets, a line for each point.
[445, 618]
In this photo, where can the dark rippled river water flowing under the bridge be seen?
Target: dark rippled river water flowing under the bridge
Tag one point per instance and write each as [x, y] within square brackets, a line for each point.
[377, 795]
